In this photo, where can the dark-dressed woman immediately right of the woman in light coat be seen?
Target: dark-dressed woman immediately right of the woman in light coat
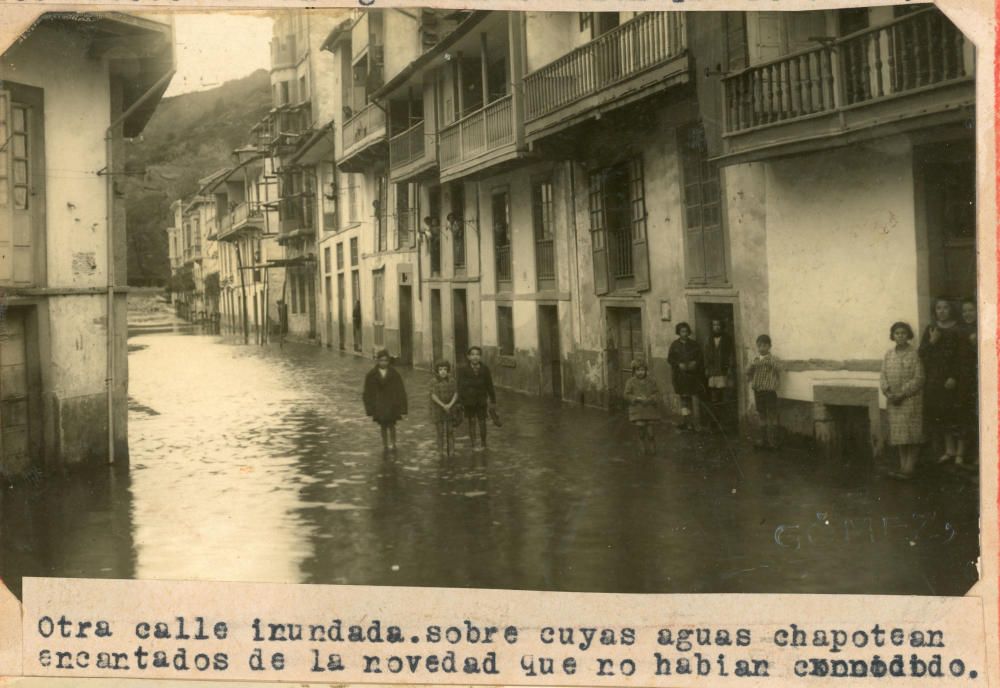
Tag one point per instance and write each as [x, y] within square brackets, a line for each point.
[940, 351]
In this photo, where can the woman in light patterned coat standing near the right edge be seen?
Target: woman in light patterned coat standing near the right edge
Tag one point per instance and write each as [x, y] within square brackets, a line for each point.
[902, 383]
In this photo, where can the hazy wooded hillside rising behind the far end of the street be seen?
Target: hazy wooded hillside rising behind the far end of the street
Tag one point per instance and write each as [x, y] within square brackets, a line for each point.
[189, 136]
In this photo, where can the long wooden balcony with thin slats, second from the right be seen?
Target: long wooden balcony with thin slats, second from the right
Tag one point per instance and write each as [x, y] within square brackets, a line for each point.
[643, 56]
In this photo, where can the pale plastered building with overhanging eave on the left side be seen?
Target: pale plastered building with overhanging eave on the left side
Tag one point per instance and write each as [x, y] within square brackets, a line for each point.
[70, 89]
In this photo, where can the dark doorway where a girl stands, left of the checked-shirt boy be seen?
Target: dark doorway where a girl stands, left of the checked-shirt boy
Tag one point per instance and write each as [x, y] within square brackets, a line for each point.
[721, 404]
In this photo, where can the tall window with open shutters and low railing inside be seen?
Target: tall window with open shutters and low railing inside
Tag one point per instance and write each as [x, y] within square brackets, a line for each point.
[618, 227]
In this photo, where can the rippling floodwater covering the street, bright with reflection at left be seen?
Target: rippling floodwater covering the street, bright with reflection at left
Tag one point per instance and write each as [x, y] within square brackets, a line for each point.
[257, 464]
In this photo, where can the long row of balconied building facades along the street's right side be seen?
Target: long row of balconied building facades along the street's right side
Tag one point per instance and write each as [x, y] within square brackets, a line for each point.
[564, 188]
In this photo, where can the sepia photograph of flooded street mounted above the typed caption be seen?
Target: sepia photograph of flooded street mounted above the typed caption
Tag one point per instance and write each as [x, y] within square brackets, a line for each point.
[618, 301]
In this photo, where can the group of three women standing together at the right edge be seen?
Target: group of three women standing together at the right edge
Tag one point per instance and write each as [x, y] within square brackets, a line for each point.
[932, 389]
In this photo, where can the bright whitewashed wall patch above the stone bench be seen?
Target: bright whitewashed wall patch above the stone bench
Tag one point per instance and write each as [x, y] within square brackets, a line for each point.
[843, 268]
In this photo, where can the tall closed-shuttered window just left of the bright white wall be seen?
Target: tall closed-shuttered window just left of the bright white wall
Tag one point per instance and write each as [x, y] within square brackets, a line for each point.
[705, 248]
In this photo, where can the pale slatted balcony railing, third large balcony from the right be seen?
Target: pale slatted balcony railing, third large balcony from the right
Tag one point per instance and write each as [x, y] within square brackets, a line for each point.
[479, 139]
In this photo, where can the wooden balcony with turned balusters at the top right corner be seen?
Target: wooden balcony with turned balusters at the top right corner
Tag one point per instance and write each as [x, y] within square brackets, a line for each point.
[913, 72]
